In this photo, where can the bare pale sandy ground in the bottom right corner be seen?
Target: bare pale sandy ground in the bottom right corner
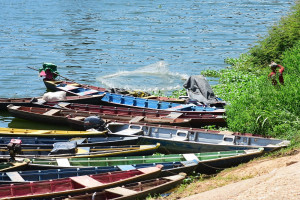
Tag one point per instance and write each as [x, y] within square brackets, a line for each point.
[273, 179]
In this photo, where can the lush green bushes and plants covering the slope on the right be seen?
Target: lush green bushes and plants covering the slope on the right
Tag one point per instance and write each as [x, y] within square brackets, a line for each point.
[256, 106]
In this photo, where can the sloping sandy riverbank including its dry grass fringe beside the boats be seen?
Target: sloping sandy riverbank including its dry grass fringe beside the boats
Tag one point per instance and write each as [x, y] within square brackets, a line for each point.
[263, 178]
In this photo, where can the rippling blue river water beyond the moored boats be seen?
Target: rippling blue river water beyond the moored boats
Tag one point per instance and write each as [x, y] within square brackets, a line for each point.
[146, 45]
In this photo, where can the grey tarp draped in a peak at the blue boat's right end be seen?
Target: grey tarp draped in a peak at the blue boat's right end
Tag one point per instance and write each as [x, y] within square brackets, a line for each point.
[199, 89]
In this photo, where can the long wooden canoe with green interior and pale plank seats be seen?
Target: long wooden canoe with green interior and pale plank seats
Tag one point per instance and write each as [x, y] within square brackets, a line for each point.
[204, 163]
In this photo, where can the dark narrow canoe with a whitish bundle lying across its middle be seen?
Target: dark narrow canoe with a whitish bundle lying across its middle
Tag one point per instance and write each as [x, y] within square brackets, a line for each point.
[33, 101]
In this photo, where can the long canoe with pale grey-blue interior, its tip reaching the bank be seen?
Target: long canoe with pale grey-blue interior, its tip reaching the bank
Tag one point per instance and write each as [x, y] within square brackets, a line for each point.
[177, 140]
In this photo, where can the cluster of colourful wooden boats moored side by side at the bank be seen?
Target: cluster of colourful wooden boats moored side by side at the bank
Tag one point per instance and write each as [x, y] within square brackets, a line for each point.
[144, 146]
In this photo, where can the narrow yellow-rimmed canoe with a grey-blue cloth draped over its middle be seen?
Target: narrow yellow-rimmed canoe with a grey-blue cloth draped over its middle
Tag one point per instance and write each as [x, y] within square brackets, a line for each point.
[71, 150]
